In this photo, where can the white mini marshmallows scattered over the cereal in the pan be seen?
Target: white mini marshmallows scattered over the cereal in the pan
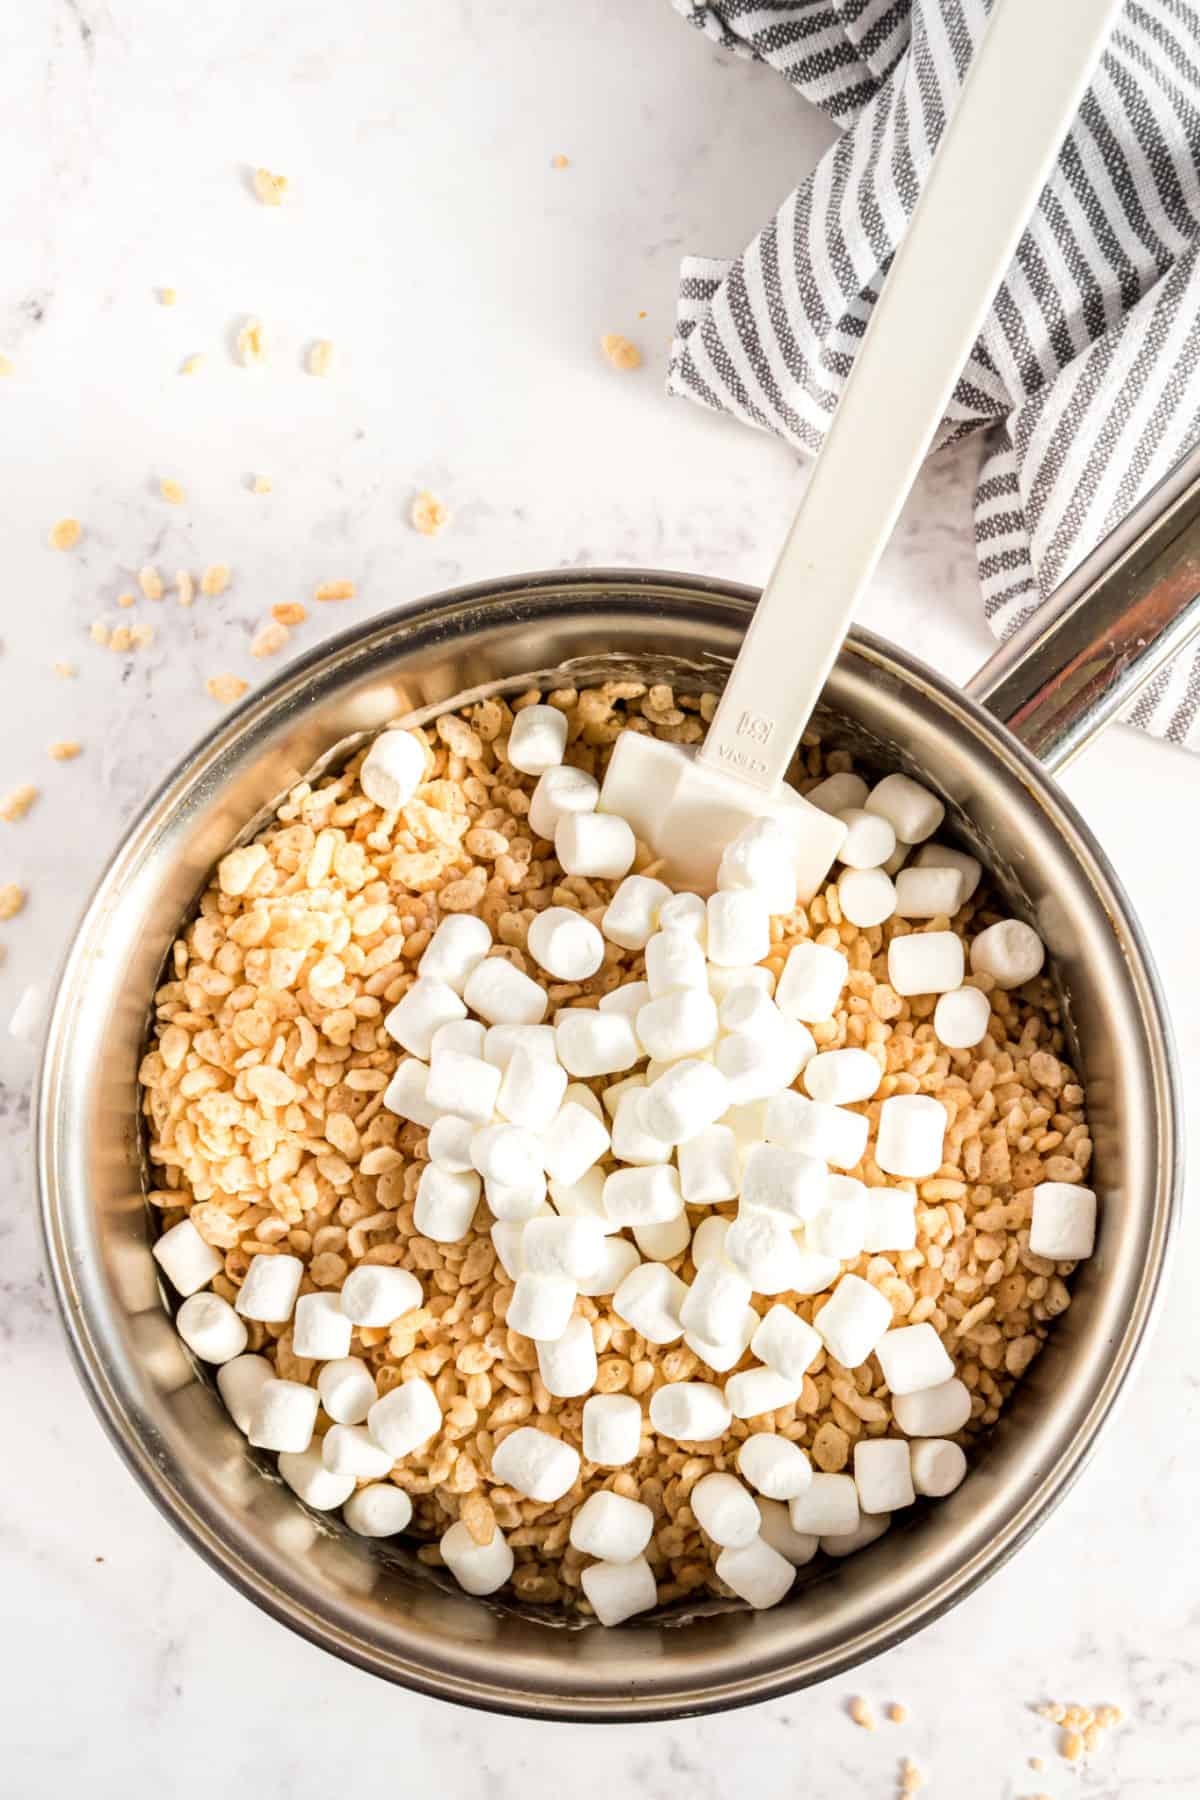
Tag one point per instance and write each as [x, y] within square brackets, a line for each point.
[701, 1059]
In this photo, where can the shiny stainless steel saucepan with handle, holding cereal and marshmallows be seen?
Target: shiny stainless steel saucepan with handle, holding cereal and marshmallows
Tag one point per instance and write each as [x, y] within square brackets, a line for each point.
[1116, 622]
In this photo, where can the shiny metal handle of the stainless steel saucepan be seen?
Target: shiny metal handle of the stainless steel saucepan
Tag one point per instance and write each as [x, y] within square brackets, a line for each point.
[1111, 627]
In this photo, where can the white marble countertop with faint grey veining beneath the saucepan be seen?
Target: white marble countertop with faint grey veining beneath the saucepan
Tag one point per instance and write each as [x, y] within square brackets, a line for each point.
[465, 285]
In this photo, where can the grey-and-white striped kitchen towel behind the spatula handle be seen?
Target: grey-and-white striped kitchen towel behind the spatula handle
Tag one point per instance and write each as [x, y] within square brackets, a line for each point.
[1088, 373]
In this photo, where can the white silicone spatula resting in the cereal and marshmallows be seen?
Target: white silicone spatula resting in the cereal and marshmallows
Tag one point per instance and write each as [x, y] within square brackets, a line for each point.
[1019, 98]
